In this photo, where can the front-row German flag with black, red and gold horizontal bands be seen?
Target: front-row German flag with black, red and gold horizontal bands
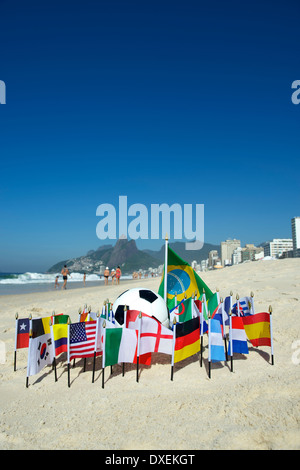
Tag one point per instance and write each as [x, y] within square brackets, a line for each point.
[187, 341]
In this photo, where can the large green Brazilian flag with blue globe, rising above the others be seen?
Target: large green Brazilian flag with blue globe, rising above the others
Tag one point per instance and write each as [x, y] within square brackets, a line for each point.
[181, 279]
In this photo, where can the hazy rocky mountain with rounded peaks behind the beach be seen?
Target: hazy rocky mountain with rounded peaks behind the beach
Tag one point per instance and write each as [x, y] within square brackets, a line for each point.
[126, 255]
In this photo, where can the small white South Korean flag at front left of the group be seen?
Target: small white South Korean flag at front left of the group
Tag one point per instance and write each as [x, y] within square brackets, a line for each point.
[40, 354]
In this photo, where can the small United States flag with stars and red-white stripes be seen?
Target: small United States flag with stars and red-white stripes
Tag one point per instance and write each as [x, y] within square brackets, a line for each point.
[82, 339]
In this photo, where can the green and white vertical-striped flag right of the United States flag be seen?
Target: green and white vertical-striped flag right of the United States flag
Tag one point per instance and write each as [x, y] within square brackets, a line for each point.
[120, 346]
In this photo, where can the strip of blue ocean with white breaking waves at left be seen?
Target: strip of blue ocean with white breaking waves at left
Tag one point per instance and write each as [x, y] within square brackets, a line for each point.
[26, 283]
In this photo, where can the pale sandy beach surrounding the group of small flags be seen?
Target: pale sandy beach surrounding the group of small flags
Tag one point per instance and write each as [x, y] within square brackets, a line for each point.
[255, 407]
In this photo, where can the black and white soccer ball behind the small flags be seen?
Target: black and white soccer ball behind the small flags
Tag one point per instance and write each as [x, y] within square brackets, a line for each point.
[144, 300]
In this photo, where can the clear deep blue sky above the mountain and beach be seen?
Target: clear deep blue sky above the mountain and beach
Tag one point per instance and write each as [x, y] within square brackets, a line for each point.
[162, 101]
